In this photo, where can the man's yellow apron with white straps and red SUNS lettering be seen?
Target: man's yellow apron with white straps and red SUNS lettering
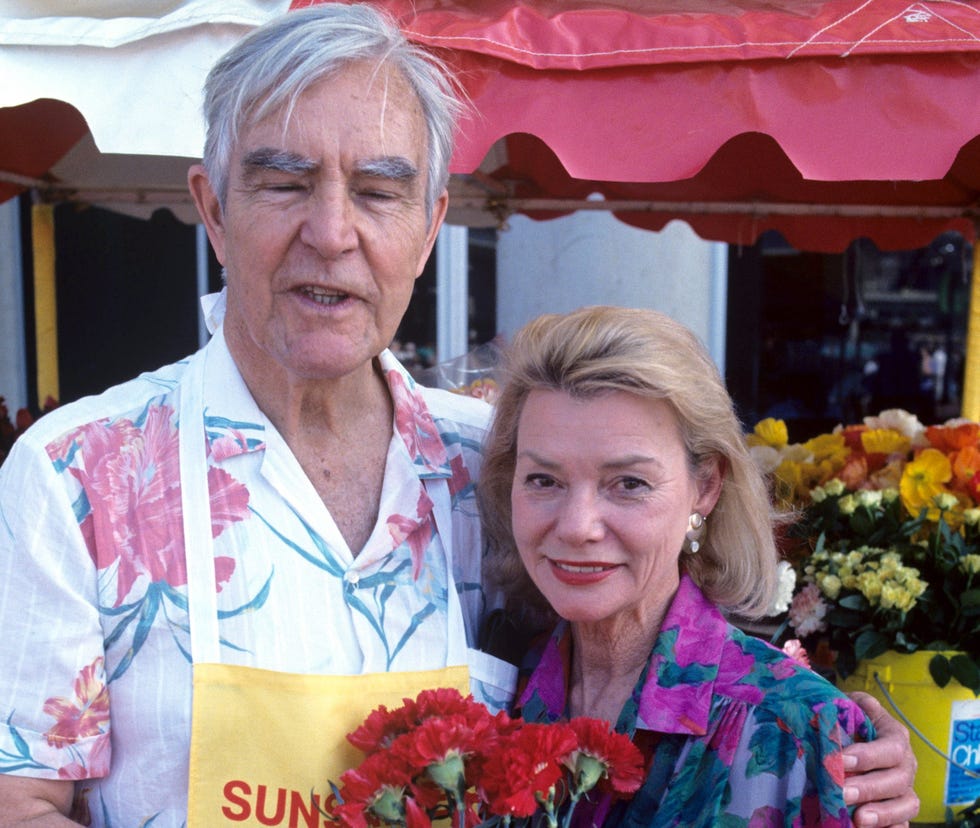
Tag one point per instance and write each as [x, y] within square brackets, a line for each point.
[265, 744]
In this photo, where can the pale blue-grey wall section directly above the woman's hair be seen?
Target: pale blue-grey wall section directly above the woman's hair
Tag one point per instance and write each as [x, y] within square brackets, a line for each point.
[591, 258]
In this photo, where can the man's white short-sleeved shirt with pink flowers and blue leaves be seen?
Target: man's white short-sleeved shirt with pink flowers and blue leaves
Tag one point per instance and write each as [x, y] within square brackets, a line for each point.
[95, 672]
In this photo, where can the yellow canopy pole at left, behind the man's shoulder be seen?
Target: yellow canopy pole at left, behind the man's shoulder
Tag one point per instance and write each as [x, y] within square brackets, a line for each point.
[45, 303]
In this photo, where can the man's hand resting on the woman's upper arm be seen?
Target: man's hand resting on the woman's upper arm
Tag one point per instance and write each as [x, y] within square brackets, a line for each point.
[880, 773]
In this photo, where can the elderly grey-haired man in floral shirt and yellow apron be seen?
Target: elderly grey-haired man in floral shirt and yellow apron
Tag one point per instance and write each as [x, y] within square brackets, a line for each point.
[189, 560]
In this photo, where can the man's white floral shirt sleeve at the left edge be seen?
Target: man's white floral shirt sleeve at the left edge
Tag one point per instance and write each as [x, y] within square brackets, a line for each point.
[54, 703]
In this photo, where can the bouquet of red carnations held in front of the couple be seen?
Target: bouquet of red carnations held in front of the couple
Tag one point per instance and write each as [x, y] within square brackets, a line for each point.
[443, 755]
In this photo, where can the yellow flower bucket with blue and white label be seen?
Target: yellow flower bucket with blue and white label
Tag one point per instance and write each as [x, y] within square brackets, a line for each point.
[948, 717]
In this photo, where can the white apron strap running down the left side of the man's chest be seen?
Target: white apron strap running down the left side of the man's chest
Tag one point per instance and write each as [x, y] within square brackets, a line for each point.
[196, 509]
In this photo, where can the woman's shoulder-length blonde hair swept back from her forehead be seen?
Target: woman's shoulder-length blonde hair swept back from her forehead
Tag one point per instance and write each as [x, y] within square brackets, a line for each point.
[597, 350]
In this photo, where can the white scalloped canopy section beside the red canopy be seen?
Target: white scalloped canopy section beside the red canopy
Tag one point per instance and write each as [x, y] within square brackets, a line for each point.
[133, 68]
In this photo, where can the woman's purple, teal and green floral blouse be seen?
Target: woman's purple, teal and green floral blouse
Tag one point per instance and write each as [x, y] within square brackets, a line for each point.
[738, 734]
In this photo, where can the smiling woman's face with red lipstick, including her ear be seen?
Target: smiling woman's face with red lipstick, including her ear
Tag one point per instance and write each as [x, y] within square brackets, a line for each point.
[601, 497]
